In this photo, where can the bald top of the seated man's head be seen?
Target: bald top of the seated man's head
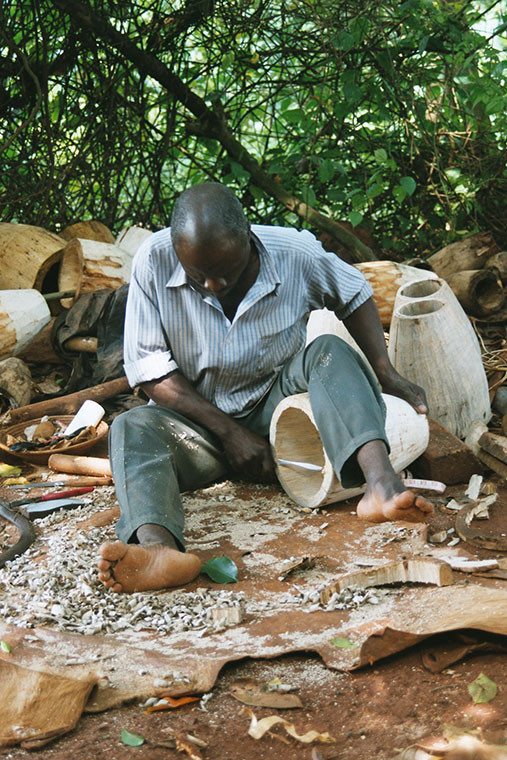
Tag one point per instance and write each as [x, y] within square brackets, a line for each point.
[208, 212]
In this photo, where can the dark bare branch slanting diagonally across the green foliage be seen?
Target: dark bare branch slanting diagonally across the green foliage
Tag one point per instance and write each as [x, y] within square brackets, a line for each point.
[212, 123]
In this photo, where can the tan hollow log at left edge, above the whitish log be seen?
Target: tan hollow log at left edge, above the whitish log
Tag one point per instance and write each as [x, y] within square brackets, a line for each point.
[27, 253]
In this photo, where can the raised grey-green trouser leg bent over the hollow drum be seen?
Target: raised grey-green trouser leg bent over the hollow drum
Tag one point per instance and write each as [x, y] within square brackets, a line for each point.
[346, 402]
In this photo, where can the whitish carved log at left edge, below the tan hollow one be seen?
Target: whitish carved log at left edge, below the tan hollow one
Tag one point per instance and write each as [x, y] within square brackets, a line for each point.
[23, 314]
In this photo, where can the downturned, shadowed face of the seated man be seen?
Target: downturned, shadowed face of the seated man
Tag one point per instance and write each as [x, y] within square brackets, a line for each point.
[215, 266]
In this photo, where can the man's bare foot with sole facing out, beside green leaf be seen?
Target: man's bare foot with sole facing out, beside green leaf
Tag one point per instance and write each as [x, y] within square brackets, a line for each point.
[131, 567]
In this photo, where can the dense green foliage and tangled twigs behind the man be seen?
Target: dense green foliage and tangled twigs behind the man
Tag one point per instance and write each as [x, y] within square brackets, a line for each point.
[390, 115]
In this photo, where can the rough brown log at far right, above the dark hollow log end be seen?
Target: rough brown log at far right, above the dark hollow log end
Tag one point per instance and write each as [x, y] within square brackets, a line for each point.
[470, 253]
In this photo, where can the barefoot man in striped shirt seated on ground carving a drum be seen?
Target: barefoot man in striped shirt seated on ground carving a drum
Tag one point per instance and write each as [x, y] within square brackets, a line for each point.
[214, 334]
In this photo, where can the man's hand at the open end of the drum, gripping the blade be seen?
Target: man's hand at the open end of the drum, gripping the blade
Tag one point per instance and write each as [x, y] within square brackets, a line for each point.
[249, 454]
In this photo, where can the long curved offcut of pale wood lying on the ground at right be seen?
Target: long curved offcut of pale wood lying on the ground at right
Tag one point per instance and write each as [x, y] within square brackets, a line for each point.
[416, 570]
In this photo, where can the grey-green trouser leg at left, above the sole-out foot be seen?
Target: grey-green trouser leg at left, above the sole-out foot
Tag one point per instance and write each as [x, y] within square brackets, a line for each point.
[156, 453]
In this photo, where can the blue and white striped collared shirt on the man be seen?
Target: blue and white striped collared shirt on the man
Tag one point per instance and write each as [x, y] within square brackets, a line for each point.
[170, 325]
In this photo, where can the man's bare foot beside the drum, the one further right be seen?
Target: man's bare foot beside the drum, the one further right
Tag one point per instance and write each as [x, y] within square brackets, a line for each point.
[391, 501]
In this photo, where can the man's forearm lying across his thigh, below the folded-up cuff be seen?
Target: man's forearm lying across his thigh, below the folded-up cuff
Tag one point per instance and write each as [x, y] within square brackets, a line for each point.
[175, 392]
